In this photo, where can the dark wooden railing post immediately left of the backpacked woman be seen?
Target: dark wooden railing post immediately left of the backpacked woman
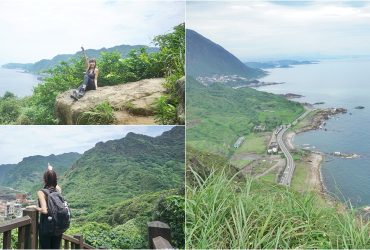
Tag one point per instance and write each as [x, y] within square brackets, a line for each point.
[31, 232]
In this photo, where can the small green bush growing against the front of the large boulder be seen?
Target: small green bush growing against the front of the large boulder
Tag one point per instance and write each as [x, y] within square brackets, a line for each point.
[102, 113]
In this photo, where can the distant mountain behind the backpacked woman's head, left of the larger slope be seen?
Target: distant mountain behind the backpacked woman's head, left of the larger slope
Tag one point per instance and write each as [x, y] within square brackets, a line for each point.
[27, 174]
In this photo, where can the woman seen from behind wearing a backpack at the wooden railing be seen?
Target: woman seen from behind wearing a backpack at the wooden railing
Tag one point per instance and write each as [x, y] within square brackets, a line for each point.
[54, 212]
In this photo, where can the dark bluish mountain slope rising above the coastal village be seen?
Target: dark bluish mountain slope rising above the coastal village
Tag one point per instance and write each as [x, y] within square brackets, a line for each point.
[206, 58]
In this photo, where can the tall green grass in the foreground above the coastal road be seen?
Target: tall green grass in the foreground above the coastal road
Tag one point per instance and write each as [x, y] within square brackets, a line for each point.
[223, 213]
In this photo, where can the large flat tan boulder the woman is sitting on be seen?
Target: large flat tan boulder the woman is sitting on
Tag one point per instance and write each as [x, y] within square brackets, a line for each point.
[133, 103]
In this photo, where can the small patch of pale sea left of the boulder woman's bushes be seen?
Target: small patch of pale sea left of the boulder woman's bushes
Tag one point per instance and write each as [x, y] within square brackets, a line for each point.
[15, 81]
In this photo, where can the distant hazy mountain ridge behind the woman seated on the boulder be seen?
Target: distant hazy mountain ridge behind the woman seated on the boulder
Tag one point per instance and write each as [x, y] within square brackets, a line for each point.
[45, 64]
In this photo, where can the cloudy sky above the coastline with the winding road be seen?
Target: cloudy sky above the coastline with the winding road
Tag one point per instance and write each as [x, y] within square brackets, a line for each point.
[283, 29]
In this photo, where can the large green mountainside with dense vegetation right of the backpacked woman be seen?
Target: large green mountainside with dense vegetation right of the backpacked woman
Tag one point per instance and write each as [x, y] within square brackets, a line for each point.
[118, 186]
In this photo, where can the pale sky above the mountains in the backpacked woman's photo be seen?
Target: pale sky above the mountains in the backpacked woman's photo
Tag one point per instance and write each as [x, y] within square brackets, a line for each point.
[18, 142]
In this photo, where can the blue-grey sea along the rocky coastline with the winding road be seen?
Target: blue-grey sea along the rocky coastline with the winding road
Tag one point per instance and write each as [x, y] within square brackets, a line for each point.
[338, 83]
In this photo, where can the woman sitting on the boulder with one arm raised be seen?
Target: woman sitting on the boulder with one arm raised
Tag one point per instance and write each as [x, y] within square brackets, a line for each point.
[90, 79]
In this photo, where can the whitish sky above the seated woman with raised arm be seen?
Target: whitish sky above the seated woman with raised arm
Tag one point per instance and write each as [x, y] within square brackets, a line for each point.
[41, 29]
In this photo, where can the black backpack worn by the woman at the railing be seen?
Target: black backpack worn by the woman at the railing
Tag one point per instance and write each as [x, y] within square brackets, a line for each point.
[58, 219]
